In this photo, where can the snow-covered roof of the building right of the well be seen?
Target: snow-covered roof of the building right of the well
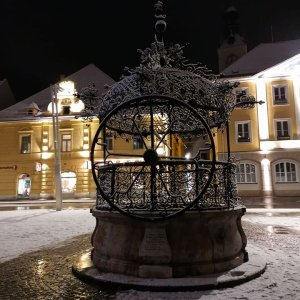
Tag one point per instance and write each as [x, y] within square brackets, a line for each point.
[262, 57]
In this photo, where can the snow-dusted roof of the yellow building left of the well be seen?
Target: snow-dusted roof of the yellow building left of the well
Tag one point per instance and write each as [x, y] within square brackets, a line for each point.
[82, 78]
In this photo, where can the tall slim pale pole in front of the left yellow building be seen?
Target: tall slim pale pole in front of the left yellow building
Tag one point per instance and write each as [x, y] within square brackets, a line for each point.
[56, 144]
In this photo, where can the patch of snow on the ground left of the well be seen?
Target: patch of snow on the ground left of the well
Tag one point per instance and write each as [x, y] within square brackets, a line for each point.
[30, 230]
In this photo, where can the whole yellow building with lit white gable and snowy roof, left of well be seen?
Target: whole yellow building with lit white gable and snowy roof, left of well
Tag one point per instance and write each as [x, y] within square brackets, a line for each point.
[30, 133]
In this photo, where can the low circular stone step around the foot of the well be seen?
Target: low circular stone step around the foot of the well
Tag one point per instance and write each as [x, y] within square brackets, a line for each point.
[256, 265]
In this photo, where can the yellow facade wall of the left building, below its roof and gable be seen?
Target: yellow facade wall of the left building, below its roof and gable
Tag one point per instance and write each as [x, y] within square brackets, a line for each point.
[28, 160]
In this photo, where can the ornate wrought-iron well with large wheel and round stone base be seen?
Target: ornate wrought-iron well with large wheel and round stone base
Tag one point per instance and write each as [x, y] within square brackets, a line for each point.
[160, 213]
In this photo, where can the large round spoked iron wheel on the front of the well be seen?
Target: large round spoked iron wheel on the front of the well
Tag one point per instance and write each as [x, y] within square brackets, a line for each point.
[157, 181]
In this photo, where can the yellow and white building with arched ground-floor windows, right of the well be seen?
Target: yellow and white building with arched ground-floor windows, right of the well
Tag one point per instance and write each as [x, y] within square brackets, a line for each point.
[265, 140]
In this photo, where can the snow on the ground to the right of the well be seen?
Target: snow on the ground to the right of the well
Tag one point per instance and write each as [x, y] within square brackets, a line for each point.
[281, 280]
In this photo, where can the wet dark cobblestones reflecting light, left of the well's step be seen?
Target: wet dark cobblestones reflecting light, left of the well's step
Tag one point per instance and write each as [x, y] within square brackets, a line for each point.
[48, 274]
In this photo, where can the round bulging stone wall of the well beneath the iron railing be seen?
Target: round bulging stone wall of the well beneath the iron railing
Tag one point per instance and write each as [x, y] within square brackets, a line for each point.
[195, 243]
